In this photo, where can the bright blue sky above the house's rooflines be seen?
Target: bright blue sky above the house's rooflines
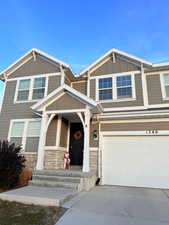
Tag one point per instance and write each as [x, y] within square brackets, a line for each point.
[78, 32]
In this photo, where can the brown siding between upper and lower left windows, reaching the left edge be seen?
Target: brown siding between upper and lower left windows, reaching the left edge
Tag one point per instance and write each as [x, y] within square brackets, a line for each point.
[13, 111]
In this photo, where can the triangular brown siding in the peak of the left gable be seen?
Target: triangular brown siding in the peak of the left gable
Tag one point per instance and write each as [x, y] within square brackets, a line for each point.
[40, 66]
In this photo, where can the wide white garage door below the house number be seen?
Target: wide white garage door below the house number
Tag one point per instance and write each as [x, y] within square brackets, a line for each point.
[141, 161]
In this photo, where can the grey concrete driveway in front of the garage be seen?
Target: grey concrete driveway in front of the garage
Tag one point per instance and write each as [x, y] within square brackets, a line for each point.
[118, 206]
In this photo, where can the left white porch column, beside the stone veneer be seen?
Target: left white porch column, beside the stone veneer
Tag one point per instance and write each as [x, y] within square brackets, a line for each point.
[41, 148]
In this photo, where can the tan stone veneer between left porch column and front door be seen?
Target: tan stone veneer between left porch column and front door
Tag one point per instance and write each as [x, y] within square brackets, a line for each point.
[53, 159]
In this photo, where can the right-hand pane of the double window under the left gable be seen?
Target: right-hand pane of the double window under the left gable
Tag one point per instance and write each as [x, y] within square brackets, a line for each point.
[39, 88]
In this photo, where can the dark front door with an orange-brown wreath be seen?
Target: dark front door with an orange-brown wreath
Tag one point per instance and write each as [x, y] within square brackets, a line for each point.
[76, 144]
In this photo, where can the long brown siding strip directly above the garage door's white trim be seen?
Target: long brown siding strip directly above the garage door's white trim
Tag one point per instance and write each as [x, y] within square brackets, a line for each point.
[135, 126]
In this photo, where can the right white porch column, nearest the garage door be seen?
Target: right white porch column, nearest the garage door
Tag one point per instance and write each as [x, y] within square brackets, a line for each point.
[86, 160]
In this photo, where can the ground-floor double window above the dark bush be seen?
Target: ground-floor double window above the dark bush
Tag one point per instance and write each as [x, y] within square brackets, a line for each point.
[26, 133]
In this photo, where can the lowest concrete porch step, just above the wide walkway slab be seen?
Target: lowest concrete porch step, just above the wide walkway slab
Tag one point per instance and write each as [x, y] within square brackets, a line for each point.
[42, 183]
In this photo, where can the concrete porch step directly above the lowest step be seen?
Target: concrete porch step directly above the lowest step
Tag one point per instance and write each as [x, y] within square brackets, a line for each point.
[57, 178]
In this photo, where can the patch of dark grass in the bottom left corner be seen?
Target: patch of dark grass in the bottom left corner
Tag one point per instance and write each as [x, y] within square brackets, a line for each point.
[19, 214]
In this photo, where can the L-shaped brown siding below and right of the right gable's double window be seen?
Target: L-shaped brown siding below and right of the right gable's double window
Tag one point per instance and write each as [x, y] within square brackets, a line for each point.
[137, 102]
